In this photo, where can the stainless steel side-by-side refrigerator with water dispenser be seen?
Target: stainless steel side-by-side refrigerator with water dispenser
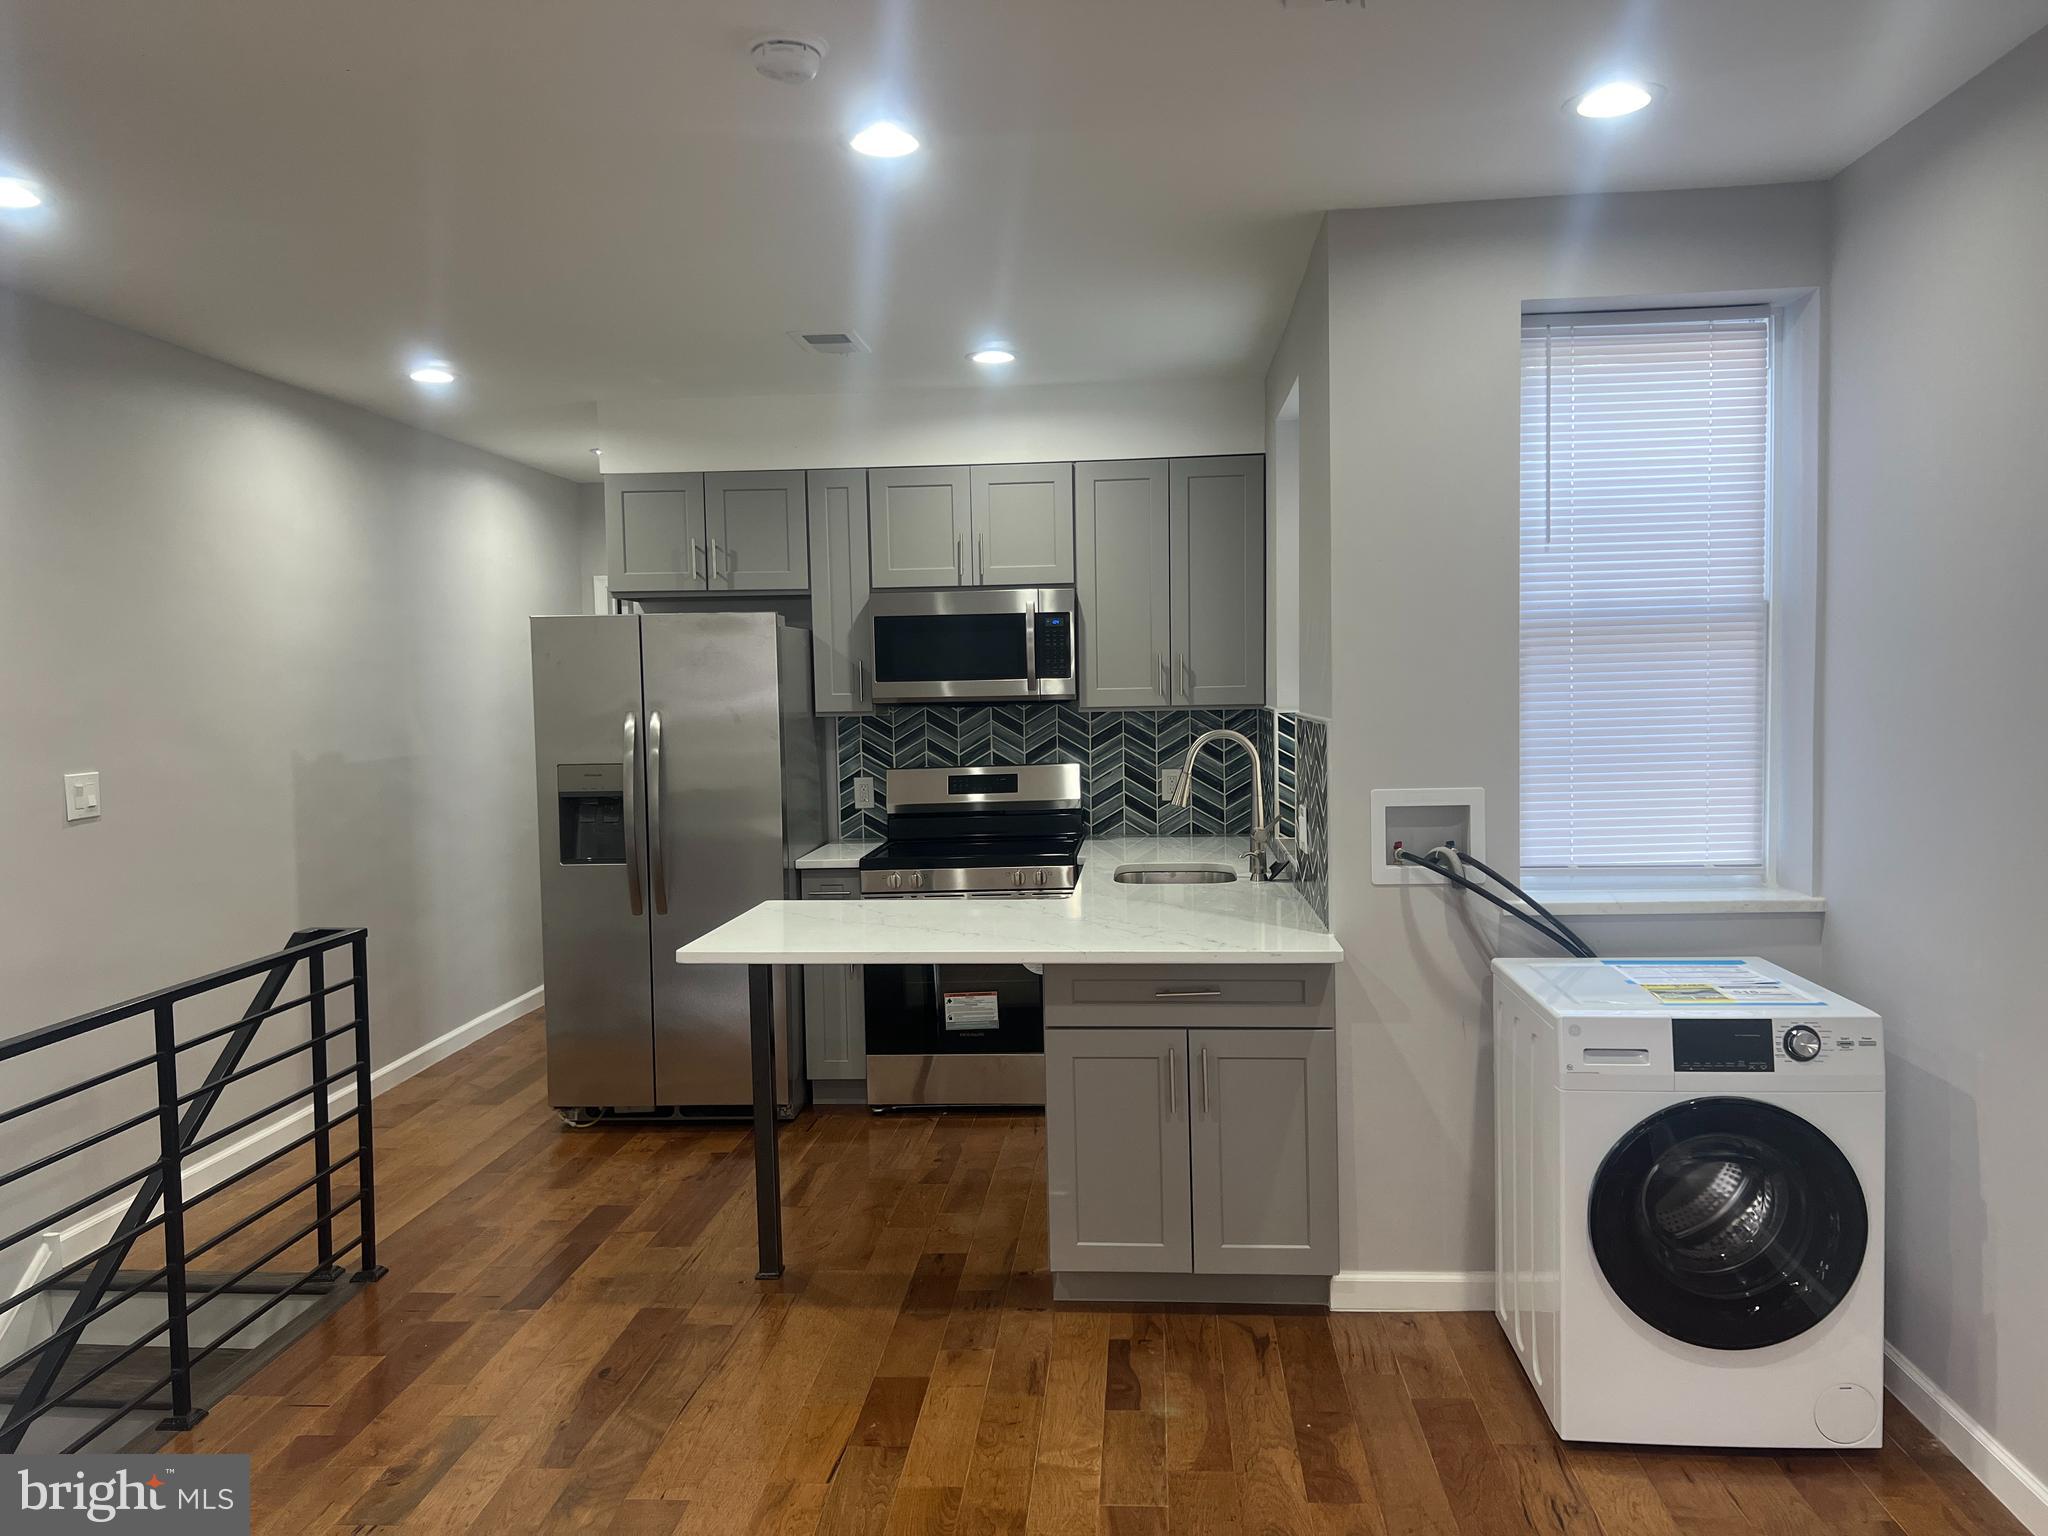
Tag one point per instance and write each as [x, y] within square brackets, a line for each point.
[679, 771]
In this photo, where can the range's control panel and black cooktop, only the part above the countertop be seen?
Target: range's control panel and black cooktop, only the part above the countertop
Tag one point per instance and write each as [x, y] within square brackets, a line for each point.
[980, 833]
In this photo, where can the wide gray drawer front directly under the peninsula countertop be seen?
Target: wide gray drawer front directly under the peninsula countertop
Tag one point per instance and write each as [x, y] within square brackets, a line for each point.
[1242, 996]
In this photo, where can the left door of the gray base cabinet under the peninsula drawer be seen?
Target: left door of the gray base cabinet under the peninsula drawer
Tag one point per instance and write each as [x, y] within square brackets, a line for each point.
[1117, 1150]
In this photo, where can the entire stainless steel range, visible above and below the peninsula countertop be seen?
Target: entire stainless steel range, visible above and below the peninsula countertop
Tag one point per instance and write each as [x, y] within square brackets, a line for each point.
[968, 1033]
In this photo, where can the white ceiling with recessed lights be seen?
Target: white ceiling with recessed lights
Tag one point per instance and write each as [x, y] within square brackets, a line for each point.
[589, 202]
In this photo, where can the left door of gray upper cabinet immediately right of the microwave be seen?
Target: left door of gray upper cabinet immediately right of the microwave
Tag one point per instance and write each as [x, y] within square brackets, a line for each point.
[1123, 583]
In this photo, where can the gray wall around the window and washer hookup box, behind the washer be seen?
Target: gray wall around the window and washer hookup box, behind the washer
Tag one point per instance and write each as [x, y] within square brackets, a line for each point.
[1424, 335]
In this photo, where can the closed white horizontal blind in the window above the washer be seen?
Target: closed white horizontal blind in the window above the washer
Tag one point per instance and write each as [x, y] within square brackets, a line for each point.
[1646, 591]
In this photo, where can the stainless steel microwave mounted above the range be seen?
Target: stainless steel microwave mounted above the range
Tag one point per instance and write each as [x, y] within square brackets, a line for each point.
[974, 644]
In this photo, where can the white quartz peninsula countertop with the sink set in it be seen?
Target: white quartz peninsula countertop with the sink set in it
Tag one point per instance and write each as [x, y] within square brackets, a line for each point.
[1103, 923]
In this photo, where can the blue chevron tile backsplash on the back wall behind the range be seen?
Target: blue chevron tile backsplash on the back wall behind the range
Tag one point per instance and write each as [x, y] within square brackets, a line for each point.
[1121, 755]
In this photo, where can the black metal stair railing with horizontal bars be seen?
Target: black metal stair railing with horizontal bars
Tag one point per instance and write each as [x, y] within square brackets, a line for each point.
[161, 1201]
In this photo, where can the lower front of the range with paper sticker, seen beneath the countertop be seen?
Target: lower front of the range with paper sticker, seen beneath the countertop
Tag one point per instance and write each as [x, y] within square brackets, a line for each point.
[955, 1035]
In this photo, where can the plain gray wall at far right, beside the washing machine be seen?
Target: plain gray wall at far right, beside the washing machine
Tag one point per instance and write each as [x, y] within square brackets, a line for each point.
[1934, 728]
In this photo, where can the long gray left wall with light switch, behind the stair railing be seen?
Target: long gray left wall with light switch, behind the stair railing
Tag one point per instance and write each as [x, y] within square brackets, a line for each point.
[292, 638]
